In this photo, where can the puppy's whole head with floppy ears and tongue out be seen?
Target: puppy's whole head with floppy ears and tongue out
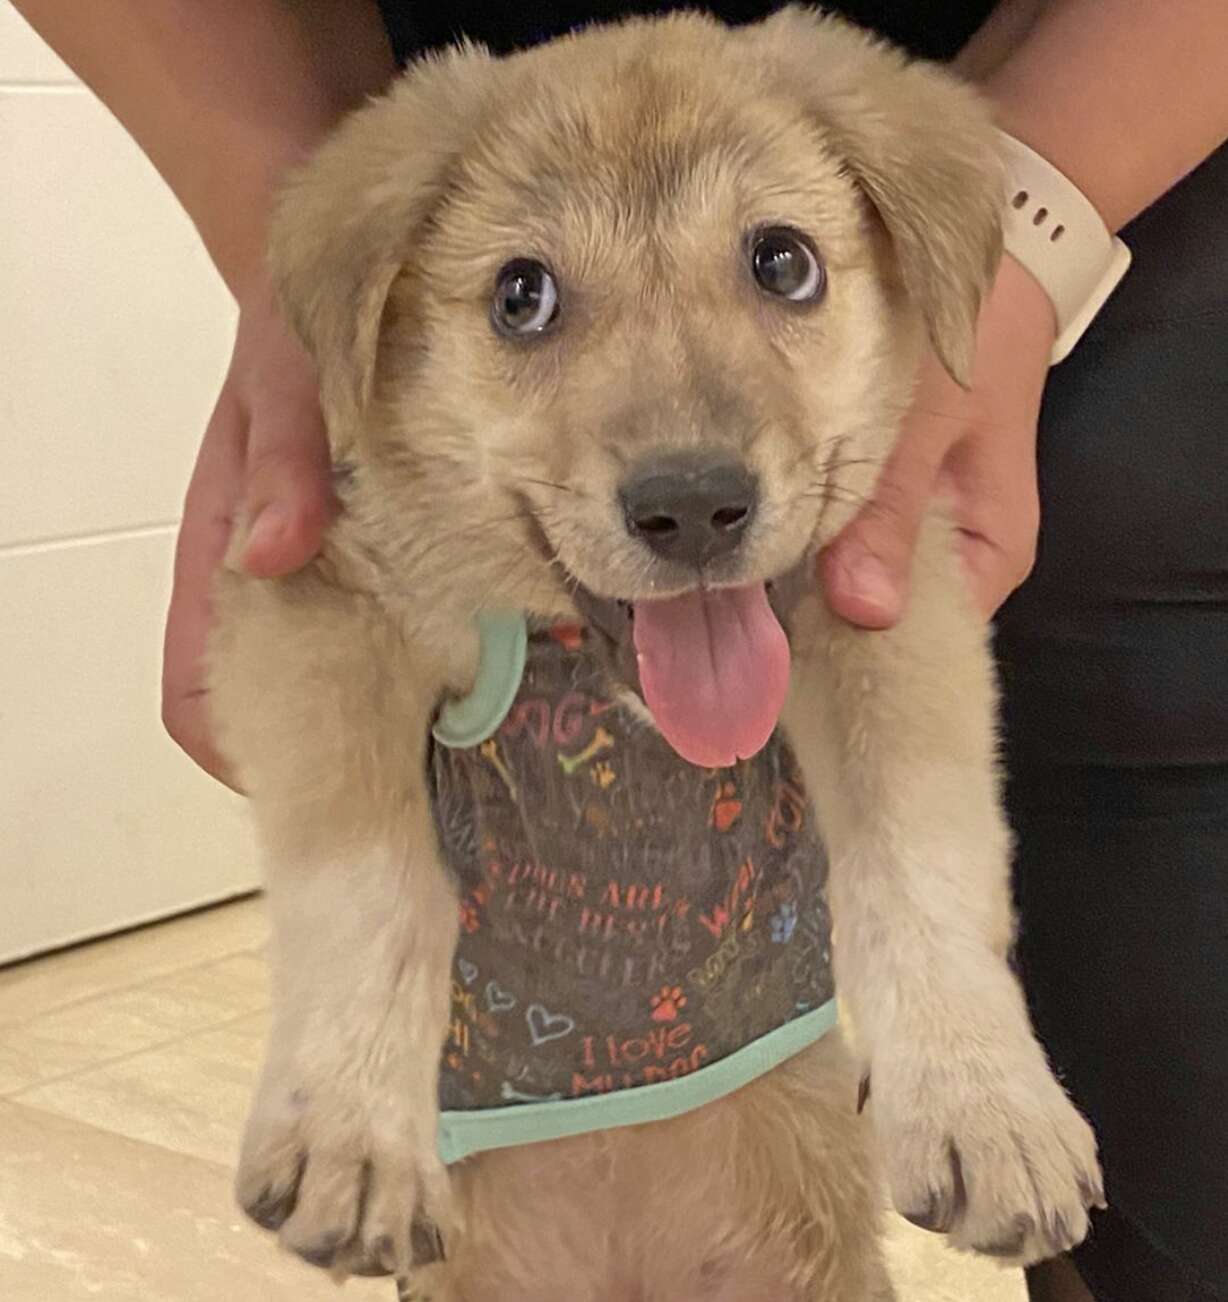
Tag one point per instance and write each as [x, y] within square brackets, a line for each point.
[628, 314]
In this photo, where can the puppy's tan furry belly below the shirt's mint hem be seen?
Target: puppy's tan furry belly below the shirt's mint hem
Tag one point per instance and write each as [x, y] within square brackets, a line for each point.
[661, 1213]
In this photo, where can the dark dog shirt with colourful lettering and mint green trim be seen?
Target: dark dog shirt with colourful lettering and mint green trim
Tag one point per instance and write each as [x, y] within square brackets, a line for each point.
[639, 937]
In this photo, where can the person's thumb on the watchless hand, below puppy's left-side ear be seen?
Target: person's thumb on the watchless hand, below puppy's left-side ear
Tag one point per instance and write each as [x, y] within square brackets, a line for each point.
[288, 493]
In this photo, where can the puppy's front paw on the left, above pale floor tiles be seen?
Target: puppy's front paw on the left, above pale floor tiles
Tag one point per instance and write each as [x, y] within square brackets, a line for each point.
[352, 1183]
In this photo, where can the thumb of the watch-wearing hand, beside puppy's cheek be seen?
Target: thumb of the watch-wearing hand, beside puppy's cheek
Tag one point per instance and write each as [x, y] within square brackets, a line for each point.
[865, 570]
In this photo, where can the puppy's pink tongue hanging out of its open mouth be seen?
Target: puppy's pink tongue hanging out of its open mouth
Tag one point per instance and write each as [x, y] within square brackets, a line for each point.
[714, 669]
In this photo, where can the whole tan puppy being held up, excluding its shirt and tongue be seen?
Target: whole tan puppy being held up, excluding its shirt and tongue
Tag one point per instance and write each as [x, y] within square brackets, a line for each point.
[486, 449]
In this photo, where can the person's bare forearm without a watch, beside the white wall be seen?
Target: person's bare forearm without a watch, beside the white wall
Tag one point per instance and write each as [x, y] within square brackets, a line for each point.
[222, 96]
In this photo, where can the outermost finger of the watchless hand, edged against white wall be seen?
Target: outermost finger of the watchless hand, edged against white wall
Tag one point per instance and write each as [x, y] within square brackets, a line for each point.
[201, 546]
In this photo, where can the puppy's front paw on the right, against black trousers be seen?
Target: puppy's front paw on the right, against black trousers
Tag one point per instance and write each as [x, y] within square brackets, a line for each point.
[983, 1144]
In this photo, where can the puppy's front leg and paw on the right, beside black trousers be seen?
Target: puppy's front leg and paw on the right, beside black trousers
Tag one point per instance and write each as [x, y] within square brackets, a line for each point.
[895, 734]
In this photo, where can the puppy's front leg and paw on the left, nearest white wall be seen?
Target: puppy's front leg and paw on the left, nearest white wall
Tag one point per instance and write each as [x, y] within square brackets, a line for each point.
[326, 715]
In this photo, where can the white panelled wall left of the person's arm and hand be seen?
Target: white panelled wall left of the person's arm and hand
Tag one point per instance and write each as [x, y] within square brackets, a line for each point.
[114, 339]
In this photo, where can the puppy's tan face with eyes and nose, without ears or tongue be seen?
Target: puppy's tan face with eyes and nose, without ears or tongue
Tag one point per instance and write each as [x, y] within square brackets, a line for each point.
[656, 316]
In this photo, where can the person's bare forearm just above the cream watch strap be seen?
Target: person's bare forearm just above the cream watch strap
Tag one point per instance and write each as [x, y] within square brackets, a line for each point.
[1123, 96]
